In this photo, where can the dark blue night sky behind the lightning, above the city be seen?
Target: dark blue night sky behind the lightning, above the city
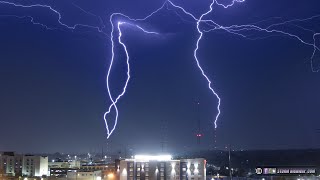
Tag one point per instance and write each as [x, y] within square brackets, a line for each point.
[53, 89]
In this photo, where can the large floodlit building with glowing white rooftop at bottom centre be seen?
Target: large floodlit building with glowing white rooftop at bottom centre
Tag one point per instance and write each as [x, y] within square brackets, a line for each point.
[162, 168]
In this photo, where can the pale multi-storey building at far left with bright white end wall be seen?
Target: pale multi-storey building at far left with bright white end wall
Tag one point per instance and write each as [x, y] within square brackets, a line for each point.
[12, 164]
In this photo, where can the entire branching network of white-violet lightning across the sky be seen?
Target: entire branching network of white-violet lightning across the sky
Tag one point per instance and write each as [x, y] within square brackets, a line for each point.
[252, 31]
